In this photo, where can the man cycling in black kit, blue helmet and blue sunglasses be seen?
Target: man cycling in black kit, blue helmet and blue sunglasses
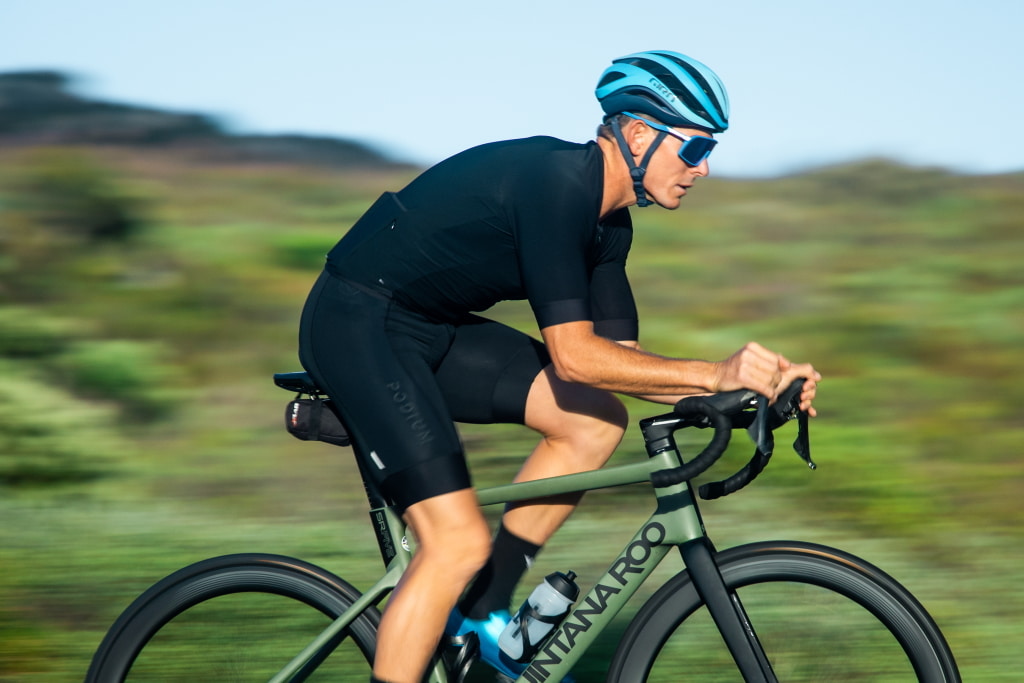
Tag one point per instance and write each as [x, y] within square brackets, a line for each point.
[390, 331]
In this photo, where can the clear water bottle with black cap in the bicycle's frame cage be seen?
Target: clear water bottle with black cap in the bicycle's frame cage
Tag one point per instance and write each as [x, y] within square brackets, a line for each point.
[546, 607]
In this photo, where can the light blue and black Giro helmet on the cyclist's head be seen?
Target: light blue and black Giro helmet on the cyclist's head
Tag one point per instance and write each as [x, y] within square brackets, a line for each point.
[671, 88]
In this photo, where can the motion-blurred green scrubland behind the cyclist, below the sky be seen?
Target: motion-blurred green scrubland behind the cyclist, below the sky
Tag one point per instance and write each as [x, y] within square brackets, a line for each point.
[146, 302]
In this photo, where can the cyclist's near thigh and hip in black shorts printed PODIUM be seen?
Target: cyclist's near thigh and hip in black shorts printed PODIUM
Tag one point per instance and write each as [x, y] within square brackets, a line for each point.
[382, 383]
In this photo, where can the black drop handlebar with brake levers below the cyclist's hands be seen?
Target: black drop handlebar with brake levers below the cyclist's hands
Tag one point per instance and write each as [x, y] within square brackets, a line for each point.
[726, 412]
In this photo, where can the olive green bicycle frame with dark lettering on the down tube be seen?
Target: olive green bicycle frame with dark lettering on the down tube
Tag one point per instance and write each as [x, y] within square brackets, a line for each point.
[675, 522]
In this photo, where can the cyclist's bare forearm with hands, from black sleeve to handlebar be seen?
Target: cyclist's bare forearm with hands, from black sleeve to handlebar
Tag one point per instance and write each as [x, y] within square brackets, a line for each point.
[582, 357]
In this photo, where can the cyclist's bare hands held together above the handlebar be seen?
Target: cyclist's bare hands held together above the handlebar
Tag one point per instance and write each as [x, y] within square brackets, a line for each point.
[757, 369]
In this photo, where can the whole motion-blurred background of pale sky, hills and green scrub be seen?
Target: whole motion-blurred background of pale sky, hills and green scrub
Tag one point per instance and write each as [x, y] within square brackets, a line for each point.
[170, 180]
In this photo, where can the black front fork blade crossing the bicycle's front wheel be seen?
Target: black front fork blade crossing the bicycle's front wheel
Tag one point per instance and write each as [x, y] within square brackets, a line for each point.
[728, 612]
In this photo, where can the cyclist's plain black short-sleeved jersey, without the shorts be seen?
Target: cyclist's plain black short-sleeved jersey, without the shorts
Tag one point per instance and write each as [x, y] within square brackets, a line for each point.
[508, 221]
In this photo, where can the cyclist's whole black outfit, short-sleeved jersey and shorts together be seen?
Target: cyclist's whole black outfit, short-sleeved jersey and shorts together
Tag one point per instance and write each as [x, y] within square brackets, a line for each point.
[390, 332]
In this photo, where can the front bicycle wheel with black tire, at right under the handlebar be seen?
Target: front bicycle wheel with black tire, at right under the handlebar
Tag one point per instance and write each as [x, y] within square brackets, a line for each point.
[782, 585]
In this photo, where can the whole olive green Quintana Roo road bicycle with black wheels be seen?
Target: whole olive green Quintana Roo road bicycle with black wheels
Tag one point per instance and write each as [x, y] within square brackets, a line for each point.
[780, 611]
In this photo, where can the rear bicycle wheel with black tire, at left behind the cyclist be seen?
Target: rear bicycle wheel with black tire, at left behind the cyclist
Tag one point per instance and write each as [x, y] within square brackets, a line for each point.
[165, 634]
